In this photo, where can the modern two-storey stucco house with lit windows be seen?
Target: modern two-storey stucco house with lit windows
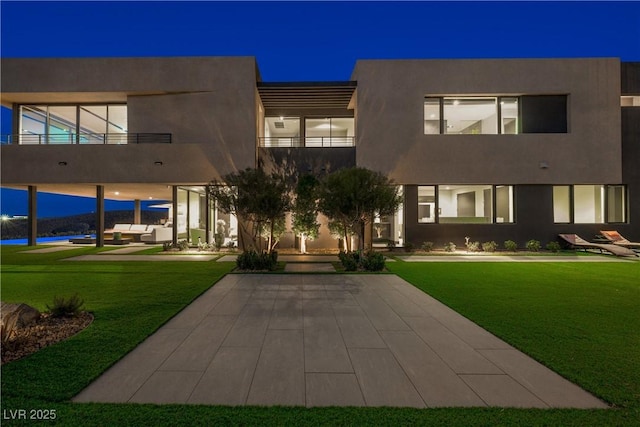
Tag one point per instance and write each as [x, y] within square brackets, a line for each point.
[498, 149]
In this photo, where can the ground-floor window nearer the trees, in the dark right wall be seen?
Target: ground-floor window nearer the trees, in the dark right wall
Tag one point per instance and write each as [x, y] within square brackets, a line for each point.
[465, 204]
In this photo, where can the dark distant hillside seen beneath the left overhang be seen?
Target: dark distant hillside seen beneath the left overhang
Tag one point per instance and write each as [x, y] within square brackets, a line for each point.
[75, 224]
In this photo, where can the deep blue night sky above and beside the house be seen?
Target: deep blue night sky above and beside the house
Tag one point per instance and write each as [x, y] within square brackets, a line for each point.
[307, 41]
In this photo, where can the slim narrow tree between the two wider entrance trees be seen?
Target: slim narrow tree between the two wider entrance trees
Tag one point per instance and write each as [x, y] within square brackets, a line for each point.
[305, 210]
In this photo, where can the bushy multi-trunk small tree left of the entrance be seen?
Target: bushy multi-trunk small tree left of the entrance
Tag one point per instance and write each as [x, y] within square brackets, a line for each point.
[258, 200]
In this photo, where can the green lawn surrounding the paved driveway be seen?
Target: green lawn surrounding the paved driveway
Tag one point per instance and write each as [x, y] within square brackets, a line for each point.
[580, 319]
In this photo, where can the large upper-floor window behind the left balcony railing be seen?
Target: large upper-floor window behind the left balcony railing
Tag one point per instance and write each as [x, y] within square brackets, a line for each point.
[73, 124]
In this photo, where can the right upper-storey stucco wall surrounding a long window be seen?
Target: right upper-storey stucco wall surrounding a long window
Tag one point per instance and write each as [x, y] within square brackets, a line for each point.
[390, 132]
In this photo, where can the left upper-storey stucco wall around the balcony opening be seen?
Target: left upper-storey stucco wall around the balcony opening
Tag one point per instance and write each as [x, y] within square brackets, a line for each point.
[207, 104]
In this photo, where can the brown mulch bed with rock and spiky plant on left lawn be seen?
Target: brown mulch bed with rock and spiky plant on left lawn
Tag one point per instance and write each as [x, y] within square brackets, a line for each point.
[42, 333]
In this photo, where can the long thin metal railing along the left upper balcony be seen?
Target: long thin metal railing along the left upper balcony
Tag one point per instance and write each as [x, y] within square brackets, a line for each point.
[86, 139]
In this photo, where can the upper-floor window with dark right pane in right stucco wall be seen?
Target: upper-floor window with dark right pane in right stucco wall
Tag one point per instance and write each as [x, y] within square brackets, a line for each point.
[492, 115]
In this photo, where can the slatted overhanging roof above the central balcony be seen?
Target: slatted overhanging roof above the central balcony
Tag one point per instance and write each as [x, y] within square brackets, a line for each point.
[306, 95]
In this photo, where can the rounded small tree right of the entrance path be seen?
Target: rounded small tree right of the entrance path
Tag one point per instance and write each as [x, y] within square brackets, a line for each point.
[352, 197]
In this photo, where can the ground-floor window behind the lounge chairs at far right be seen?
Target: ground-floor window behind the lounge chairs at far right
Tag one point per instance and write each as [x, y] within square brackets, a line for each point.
[589, 204]
